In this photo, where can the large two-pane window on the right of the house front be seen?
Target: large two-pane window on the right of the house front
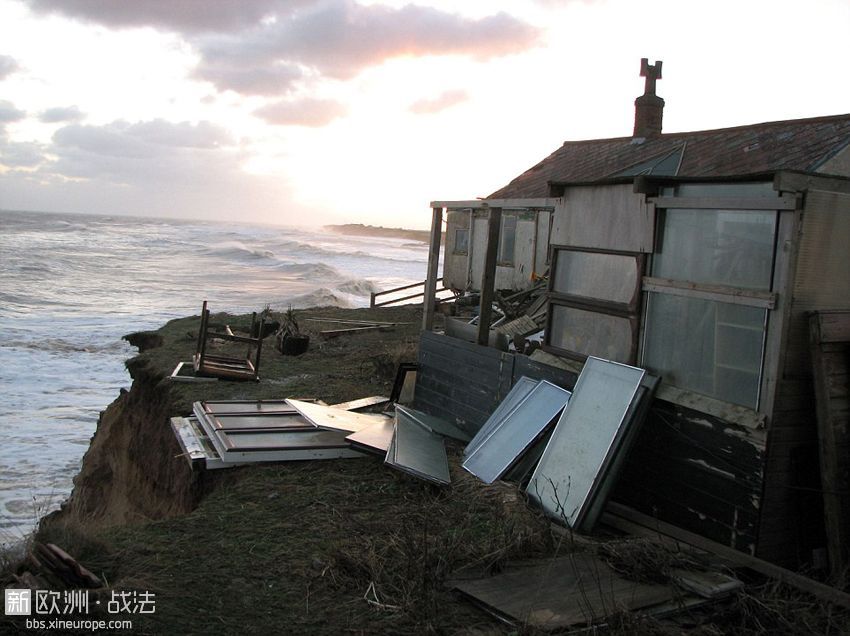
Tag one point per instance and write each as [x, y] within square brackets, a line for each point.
[709, 296]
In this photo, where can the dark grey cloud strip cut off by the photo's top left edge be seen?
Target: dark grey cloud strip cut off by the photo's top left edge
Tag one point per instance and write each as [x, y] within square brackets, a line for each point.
[187, 16]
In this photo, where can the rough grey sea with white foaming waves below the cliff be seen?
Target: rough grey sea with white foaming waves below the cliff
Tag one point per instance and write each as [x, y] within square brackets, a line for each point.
[72, 285]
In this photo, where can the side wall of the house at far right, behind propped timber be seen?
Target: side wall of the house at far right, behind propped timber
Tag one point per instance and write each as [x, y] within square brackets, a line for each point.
[792, 513]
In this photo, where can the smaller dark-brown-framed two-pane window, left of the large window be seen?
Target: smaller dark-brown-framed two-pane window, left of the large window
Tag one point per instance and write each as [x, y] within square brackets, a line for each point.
[594, 298]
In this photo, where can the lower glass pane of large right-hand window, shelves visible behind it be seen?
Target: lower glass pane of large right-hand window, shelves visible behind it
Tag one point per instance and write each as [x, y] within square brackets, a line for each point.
[706, 346]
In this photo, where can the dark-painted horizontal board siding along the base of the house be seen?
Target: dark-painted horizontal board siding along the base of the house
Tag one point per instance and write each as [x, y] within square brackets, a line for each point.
[687, 467]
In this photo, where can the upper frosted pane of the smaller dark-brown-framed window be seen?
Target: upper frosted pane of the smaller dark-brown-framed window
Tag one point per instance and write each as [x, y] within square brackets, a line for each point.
[612, 277]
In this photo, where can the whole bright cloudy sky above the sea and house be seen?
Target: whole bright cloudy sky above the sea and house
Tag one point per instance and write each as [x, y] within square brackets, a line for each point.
[305, 112]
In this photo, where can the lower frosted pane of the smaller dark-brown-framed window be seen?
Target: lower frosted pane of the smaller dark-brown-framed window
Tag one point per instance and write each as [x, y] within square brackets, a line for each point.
[591, 333]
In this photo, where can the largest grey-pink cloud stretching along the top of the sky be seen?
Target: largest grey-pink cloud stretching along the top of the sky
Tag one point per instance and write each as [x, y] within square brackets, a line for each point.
[263, 47]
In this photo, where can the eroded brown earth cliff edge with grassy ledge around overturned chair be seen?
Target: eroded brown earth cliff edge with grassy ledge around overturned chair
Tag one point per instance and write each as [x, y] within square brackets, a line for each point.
[133, 470]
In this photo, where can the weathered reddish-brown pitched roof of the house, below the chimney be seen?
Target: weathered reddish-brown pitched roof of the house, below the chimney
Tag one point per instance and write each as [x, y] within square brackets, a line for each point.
[799, 144]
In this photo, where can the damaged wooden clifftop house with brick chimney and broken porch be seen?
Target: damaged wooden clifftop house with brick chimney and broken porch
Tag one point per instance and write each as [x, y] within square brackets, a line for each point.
[699, 256]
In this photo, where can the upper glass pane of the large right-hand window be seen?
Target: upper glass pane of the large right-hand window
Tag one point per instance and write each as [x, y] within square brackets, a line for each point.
[716, 247]
